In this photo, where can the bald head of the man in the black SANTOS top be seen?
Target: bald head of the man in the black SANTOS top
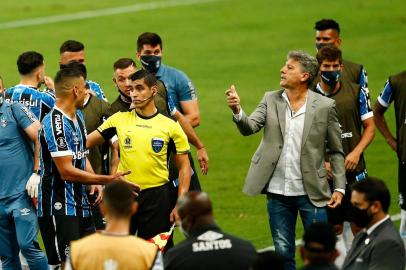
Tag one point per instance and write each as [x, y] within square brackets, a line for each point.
[195, 209]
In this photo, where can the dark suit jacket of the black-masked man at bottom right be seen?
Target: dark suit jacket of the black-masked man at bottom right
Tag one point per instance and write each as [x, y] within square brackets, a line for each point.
[383, 249]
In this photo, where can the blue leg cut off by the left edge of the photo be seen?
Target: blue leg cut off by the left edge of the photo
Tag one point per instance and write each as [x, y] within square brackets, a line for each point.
[8, 239]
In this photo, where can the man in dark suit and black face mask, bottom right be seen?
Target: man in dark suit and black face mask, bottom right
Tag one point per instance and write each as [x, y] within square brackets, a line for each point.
[379, 246]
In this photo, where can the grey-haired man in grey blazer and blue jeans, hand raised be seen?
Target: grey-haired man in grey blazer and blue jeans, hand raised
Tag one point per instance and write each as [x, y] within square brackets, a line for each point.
[300, 126]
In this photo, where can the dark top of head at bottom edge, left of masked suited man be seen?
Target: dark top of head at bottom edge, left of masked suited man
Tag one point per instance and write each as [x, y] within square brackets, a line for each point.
[323, 235]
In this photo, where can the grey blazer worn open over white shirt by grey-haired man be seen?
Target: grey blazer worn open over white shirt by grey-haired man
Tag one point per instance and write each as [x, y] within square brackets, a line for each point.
[321, 135]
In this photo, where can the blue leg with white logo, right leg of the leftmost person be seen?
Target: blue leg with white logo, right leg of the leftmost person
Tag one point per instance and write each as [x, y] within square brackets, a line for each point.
[25, 220]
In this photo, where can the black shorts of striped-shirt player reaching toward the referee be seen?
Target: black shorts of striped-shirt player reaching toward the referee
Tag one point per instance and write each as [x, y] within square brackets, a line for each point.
[58, 231]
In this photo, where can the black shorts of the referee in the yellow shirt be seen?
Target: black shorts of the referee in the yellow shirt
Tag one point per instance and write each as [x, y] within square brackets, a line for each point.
[152, 217]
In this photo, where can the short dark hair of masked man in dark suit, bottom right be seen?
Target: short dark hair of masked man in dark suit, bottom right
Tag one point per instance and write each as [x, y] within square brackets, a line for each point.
[374, 189]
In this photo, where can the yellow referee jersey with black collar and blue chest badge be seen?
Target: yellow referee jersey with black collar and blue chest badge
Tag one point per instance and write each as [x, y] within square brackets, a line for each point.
[144, 144]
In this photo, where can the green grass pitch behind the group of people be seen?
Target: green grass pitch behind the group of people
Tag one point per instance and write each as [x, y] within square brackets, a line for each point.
[217, 44]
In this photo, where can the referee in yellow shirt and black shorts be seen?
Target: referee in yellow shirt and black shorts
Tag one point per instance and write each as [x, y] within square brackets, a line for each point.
[146, 138]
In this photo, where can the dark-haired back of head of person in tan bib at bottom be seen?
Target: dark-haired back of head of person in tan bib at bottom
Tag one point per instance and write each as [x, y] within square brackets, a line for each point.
[119, 198]
